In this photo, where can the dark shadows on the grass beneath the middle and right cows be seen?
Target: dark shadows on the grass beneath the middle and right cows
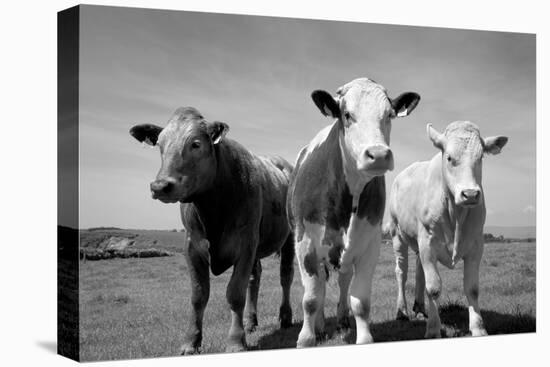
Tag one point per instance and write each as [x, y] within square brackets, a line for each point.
[454, 319]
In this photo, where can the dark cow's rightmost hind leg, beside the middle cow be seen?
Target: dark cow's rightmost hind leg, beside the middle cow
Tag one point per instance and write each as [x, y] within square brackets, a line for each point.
[287, 276]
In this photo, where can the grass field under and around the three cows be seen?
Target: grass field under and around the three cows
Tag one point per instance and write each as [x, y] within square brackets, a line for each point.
[137, 308]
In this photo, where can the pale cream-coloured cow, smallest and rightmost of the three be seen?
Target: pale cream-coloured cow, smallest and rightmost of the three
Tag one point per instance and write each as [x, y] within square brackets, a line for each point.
[437, 208]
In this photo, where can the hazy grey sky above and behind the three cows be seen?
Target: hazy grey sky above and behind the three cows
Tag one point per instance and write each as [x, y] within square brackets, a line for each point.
[257, 73]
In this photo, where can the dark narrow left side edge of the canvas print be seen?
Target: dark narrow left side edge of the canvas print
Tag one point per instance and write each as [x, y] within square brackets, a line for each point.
[68, 45]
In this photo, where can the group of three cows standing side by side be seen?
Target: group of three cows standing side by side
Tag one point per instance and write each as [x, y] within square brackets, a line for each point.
[326, 210]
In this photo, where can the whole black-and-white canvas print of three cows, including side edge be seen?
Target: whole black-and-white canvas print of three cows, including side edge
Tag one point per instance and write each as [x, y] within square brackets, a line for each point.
[235, 183]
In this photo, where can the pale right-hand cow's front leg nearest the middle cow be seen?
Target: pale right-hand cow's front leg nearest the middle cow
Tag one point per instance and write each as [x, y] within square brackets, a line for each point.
[433, 289]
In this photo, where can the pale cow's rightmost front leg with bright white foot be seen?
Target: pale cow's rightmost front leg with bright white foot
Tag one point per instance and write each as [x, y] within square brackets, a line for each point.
[471, 288]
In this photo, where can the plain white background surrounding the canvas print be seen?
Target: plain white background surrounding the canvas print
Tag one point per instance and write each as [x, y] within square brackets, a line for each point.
[28, 269]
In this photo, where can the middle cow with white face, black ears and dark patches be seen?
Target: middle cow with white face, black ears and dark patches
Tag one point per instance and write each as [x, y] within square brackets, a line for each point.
[336, 200]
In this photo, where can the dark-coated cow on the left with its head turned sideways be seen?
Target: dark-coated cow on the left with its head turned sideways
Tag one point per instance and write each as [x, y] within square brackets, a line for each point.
[233, 209]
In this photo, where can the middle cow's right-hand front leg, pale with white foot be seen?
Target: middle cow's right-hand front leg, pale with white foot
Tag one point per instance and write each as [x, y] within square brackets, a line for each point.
[360, 291]
